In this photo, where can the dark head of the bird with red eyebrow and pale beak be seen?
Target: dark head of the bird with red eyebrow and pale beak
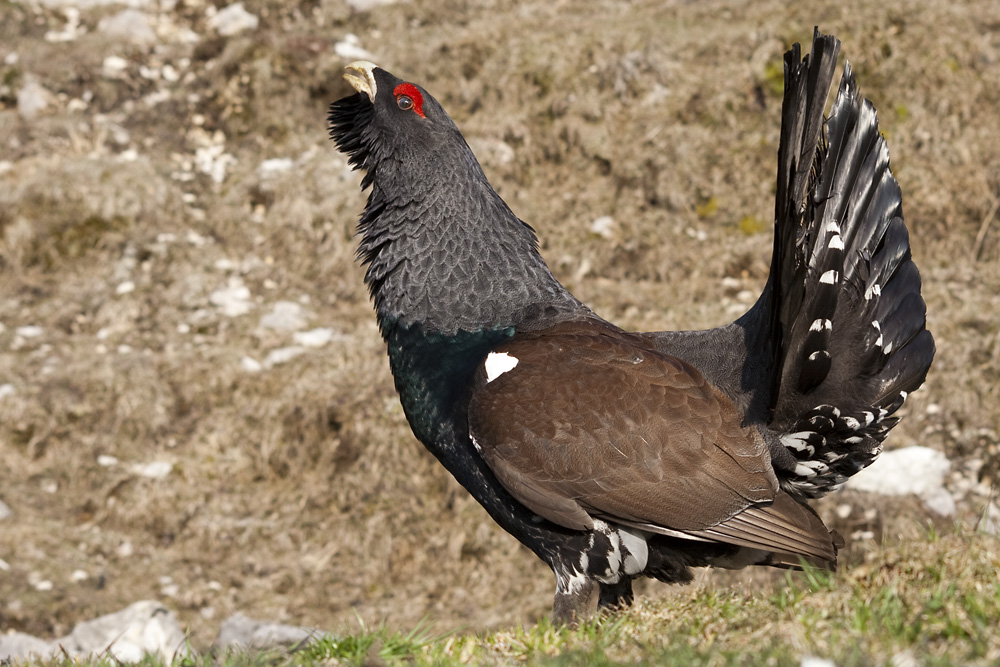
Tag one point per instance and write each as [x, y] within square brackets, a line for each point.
[391, 123]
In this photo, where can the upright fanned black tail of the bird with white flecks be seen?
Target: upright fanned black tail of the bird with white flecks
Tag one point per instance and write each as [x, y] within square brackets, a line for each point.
[848, 321]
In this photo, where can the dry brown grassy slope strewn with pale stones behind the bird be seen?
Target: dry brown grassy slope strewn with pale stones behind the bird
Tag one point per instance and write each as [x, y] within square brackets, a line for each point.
[194, 400]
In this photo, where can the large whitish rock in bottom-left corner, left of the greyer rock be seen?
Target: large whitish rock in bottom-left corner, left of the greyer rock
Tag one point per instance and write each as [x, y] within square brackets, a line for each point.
[144, 628]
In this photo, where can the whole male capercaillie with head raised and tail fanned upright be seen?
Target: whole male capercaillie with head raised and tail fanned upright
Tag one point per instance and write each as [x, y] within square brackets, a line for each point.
[611, 454]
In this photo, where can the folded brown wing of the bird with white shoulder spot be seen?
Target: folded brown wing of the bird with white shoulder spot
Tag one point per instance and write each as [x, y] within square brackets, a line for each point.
[580, 422]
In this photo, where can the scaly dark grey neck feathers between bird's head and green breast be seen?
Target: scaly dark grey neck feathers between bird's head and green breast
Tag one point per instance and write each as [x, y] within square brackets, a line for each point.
[446, 253]
